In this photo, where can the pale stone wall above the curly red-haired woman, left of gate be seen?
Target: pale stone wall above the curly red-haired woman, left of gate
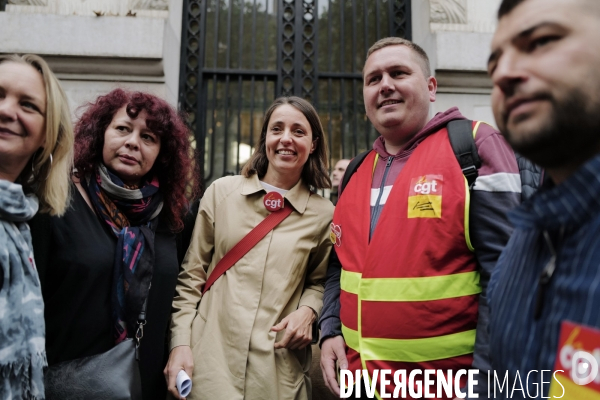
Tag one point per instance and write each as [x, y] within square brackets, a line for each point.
[96, 45]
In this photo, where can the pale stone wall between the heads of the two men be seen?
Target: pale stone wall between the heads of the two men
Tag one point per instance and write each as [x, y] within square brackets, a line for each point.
[457, 35]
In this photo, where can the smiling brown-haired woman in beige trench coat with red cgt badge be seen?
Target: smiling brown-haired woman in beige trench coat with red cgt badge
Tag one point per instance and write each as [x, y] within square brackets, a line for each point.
[249, 336]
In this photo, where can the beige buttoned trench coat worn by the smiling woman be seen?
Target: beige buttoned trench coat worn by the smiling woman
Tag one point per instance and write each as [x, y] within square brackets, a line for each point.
[229, 330]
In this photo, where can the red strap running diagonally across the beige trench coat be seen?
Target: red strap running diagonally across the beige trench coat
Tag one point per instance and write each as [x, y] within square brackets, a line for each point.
[247, 243]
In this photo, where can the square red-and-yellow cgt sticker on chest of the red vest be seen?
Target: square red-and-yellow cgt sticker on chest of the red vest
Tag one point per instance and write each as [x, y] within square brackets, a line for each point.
[425, 196]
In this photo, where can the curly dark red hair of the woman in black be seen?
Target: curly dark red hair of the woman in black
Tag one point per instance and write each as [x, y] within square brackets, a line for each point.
[175, 165]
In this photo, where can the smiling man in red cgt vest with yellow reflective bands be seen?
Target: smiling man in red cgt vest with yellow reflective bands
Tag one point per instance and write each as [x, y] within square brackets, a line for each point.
[413, 246]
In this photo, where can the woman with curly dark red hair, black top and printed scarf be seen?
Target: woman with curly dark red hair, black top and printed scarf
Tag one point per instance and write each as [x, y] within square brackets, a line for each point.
[114, 250]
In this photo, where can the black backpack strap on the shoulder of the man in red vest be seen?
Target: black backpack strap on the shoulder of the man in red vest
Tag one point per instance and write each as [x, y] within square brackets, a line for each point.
[460, 133]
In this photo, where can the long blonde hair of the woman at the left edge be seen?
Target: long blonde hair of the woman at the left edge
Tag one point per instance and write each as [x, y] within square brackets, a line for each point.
[49, 176]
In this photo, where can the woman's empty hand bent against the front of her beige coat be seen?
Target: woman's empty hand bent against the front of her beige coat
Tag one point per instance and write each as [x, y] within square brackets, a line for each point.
[298, 329]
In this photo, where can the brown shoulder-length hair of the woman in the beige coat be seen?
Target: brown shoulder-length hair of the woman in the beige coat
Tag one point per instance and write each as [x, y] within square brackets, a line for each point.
[315, 171]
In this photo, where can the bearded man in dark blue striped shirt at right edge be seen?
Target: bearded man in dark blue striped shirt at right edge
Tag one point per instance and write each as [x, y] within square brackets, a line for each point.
[545, 67]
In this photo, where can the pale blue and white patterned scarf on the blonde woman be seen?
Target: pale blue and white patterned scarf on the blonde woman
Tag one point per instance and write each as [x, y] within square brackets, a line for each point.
[22, 328]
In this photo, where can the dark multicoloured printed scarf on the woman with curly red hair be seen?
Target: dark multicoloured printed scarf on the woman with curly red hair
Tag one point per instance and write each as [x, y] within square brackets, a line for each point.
[131, 215]
